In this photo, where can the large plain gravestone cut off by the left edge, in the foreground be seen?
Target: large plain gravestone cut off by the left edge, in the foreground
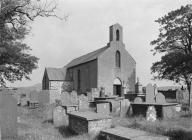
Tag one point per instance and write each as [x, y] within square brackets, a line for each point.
[8, 116]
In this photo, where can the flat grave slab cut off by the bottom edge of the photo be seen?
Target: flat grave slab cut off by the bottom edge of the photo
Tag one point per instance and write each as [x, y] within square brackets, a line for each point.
[122, 133]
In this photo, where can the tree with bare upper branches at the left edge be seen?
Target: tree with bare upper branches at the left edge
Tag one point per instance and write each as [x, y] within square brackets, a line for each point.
[16, 62]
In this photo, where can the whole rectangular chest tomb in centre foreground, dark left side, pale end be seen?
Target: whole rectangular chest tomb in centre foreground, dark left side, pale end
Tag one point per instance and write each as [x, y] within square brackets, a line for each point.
[88, 122]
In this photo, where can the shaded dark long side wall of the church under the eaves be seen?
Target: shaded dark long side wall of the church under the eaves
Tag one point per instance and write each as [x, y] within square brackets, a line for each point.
[88, 74]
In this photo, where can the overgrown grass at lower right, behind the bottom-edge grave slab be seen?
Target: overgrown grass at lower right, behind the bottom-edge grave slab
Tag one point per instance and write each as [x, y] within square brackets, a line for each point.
[176, 129]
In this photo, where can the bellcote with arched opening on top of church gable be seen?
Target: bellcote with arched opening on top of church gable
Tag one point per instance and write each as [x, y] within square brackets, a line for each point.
[116, 33]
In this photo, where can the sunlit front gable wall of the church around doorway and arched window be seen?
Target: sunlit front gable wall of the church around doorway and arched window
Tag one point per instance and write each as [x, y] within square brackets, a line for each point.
[107, 71]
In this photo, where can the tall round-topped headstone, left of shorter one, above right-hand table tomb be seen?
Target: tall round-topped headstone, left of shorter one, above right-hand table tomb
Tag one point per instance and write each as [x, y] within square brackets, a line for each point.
[150, 97]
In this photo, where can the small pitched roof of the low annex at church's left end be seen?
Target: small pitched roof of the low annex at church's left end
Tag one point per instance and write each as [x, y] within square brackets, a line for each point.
[56, 74]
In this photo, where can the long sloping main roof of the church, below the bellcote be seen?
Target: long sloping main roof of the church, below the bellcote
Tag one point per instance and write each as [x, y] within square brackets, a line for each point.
[86, 58]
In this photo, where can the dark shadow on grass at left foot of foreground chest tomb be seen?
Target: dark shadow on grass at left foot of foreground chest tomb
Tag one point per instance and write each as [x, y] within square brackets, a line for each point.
[66, 132]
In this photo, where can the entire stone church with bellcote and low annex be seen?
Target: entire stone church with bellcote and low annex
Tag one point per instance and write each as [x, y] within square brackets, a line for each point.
[111, 67]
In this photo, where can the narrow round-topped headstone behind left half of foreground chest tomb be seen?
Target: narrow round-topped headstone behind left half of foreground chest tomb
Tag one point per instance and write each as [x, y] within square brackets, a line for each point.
[83, 103]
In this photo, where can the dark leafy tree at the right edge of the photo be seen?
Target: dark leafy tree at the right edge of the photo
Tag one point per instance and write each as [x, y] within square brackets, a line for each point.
[174, 42]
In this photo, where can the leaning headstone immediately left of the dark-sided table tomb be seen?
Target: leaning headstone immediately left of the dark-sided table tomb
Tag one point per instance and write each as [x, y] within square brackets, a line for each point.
[124, 107]
